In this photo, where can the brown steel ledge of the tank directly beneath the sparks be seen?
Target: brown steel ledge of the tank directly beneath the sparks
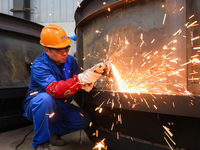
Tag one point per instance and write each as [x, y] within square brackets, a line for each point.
[165, 104]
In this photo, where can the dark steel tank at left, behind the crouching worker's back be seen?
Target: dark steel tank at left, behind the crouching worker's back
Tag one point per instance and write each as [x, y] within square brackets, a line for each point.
[19, 47]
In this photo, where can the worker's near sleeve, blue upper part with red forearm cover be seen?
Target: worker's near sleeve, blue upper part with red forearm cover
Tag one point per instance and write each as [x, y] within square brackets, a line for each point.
[57, 89]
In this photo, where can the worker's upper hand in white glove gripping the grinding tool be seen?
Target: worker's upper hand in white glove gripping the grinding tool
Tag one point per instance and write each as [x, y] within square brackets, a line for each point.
[91, 75]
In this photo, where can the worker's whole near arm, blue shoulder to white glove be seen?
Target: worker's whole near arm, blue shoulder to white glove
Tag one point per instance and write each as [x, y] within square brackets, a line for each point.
[59, 89]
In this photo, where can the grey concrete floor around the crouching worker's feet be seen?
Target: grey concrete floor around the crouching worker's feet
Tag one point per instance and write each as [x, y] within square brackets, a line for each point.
[10, 139]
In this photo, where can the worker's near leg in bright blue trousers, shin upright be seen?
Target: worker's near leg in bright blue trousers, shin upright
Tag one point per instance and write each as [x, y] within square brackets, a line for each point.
[37, 111]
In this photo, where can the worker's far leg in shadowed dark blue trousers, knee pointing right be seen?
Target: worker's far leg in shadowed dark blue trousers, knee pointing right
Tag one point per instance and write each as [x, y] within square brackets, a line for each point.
[69, 118]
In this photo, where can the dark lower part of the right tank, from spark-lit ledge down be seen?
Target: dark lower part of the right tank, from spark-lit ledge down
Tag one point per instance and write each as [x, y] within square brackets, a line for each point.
[141, 127]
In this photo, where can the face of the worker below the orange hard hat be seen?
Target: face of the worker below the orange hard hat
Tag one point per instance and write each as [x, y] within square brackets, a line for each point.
[58, 56]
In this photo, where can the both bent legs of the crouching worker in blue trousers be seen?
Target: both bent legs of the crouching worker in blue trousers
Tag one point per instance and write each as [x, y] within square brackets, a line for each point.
[68, 118]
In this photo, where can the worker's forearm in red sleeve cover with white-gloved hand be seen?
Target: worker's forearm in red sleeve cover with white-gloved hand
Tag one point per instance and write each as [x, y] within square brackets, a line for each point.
[85, 80]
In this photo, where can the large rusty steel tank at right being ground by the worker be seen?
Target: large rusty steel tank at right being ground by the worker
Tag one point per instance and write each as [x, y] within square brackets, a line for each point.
[102, 29]
